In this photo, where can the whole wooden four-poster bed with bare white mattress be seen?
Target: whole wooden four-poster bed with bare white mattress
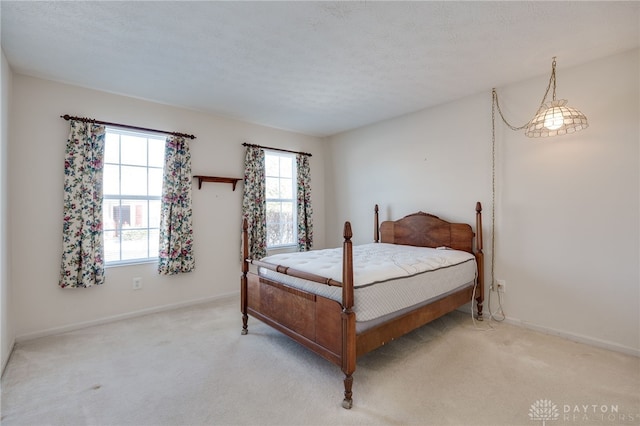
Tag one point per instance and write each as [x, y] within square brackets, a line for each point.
[321, 311]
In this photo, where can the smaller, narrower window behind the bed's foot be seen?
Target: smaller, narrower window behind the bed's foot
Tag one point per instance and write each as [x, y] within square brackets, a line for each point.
[280, 175]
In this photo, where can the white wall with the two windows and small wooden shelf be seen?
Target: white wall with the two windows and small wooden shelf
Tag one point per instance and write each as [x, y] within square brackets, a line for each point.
[36, 158]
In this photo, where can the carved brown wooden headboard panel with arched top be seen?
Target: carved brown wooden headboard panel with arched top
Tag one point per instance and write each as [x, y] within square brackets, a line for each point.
[426, 230]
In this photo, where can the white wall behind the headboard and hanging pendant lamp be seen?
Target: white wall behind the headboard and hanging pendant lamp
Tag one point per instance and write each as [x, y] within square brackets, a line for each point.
[567, 212]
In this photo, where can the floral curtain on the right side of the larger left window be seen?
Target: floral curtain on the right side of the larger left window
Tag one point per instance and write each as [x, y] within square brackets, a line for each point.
[176, 225]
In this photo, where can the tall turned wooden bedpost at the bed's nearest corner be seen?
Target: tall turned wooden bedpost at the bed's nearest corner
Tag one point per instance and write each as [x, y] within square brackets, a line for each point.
[348, 317]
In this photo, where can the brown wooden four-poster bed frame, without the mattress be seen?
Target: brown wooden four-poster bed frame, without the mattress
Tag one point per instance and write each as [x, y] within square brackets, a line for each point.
[327, 327]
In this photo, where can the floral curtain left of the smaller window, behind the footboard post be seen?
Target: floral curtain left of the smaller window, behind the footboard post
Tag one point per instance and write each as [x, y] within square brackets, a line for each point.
[254, 203]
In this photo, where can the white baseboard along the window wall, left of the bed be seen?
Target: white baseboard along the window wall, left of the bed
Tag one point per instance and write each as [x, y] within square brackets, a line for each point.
[77, 326]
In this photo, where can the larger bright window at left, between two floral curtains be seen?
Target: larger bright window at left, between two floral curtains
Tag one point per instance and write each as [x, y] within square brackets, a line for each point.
[132, 188]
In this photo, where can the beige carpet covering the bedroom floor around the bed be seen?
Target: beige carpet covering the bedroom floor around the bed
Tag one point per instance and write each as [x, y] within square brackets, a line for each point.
[192, 367]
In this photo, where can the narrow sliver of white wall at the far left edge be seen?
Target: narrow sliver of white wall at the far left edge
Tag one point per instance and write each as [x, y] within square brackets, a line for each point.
[7, 333]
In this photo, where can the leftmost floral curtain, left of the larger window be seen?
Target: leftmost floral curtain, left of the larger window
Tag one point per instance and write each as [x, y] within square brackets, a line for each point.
[82, 242]
